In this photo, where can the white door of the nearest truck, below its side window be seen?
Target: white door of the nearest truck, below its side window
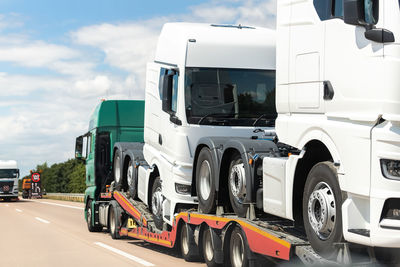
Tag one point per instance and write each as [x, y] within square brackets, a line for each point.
[351, 62]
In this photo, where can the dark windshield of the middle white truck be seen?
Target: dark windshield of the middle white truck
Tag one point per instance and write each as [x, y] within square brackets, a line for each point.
[234, 97]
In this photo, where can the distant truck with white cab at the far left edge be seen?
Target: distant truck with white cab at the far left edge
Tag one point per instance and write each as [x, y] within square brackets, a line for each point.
[9, 174]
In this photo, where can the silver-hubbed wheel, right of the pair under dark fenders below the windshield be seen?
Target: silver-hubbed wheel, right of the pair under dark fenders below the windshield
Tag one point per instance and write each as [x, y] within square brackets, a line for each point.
[237, 186]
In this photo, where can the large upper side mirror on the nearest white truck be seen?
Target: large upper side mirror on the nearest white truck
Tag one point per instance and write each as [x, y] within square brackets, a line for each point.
[361, 12]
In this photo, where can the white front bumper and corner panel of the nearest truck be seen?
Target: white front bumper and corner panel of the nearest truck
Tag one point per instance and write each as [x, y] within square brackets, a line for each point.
[374, 220]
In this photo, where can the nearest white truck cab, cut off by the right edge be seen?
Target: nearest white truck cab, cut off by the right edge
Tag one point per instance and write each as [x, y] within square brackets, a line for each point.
[338, 101]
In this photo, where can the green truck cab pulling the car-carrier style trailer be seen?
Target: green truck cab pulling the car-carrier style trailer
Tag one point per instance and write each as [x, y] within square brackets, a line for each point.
[112, 121]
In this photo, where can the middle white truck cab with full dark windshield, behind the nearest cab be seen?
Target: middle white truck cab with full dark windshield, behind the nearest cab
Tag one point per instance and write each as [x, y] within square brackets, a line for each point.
[206, 80]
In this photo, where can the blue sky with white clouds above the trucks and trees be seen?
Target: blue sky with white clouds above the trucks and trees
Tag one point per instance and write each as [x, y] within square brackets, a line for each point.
[58, 59]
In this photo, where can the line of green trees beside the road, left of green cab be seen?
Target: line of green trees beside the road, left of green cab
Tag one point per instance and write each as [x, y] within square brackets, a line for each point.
[65, 177]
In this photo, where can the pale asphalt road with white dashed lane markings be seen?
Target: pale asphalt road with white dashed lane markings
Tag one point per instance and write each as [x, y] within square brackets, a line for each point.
[54, 233]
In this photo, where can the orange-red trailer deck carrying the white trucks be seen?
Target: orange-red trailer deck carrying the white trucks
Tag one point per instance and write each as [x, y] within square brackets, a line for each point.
[269, 236]
